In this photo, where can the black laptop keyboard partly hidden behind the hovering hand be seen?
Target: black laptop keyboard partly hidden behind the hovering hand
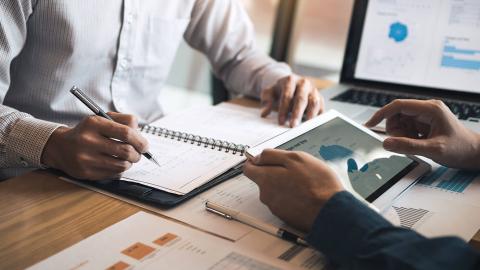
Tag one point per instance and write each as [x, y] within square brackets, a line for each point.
[462, 110]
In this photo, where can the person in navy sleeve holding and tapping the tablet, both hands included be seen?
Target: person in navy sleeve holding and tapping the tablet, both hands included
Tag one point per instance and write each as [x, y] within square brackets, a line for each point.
[305, 193]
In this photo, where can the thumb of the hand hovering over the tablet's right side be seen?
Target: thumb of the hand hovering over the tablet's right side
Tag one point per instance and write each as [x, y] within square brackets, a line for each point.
[408, 146]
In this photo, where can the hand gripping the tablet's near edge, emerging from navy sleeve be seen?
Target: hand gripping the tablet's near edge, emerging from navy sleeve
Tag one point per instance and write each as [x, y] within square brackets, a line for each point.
[294, 185]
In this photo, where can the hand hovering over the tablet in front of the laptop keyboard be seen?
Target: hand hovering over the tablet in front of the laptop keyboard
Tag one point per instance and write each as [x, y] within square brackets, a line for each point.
[430, 129]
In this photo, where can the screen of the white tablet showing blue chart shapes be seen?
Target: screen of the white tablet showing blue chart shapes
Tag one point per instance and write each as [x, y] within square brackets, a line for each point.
[354, 155]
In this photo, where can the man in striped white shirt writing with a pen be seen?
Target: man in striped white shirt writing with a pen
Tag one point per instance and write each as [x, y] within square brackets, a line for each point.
[119, 52]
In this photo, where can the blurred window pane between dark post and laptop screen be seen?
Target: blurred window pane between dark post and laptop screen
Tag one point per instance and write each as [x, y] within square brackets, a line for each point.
[319, 36]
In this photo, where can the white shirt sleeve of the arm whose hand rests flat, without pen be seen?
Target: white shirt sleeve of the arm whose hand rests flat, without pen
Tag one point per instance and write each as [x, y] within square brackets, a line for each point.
[222, 30]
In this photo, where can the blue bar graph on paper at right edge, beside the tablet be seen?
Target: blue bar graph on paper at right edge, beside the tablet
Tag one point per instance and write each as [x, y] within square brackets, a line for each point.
[449, 180]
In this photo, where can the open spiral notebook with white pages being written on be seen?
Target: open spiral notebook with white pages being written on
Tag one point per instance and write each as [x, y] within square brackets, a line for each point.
[198, 146]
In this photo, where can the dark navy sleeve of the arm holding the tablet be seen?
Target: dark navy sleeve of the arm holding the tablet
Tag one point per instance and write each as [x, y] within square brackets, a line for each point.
[353, 236]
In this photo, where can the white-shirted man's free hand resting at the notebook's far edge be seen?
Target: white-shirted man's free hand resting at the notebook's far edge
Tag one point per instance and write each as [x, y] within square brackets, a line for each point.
[292, 96]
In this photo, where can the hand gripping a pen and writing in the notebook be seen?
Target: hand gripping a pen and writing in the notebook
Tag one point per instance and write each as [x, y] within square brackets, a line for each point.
[96, 148]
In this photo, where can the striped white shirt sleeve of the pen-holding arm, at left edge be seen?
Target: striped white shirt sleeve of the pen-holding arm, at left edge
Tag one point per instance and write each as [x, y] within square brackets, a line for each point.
[22, 137]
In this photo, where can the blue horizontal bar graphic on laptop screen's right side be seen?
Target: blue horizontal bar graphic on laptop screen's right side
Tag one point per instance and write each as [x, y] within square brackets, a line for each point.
[461, 58]
